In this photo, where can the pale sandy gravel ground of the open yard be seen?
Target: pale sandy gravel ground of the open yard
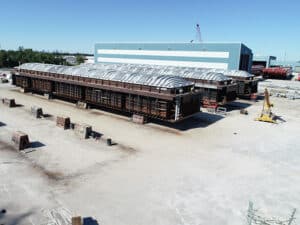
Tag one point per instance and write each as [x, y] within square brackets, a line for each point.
[202, 171]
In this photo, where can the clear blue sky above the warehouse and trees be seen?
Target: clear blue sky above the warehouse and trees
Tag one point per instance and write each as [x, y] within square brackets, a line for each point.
[267, 27]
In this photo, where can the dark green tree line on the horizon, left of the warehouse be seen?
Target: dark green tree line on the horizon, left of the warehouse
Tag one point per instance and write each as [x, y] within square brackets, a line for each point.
[12, 58]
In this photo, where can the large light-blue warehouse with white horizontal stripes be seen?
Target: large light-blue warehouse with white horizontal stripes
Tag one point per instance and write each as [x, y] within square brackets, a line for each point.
[231, 56]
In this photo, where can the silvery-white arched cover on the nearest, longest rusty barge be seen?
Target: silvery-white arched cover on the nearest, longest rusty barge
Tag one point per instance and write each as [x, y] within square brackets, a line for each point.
[91, 71]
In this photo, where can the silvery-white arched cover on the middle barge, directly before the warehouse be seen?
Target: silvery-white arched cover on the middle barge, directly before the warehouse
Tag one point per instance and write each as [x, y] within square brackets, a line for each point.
[185, 72]
